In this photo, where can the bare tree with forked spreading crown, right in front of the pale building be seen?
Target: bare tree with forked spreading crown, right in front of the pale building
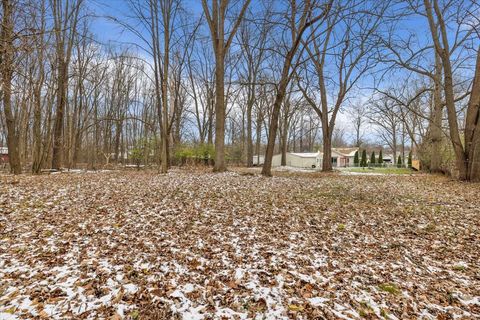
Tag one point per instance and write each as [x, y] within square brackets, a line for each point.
[345, 42]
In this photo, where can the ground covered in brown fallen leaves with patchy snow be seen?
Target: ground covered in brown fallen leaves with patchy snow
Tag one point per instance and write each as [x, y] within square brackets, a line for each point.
[197, 245]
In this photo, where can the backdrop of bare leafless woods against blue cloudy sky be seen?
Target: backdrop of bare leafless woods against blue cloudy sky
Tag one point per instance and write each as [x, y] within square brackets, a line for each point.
[220, 81]
